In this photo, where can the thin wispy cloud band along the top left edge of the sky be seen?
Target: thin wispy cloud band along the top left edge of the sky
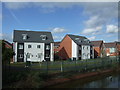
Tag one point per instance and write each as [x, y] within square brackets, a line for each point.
[43, 5]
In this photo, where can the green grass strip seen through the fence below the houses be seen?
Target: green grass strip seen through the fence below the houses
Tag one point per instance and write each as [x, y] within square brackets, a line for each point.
[54, 67]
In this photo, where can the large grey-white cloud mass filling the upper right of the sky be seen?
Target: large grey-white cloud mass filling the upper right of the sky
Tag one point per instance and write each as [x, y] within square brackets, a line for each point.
[99, 14]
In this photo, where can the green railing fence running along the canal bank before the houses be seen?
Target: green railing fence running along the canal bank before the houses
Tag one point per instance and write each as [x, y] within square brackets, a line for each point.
[78, 65]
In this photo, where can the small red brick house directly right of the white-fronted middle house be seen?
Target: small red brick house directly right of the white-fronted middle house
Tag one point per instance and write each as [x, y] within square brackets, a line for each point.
[98, 48]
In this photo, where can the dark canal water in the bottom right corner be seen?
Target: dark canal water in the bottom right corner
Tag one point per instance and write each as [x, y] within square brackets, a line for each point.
[111, 80]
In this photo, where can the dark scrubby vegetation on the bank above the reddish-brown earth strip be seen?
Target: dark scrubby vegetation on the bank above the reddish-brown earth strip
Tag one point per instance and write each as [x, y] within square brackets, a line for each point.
[35, 79]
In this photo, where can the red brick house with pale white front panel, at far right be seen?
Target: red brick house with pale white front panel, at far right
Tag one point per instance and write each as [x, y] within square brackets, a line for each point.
[112, 49]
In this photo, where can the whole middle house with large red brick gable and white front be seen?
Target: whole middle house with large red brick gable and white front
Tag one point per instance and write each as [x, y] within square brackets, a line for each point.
[75, 47]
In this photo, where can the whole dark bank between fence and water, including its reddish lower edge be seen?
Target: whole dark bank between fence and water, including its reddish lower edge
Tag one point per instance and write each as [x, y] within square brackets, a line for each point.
[35, 79]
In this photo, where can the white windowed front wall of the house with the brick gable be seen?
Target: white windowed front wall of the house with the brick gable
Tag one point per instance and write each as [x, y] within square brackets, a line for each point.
[85, 52]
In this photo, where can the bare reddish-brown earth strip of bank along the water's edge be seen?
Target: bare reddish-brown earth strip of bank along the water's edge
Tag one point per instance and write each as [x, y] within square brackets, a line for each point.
[80, 76]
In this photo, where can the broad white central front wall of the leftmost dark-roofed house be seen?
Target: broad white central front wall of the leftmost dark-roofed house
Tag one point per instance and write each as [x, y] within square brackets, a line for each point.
[34, 51]
